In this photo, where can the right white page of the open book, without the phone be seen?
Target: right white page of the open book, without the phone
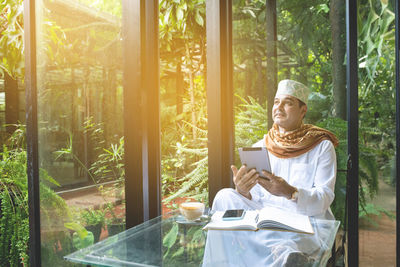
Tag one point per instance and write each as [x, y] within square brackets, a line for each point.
[272, 217]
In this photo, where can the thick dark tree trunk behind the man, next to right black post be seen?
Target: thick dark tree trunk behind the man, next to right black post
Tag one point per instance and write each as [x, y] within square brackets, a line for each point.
[336, 17]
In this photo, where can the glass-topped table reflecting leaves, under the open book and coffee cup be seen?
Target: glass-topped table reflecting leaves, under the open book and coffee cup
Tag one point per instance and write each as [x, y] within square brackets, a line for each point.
[169, 240]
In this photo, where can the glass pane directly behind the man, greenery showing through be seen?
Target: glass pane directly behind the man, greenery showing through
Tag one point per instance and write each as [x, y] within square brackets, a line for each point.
[304, 53]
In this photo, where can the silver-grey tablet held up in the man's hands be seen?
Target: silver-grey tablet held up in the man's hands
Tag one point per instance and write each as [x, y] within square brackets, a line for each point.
[255, 158]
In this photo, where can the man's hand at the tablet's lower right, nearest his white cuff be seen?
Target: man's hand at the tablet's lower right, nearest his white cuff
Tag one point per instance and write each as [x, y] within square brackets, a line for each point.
[276, 185]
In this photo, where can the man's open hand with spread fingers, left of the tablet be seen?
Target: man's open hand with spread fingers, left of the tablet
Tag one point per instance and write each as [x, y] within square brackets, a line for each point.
[244, 180]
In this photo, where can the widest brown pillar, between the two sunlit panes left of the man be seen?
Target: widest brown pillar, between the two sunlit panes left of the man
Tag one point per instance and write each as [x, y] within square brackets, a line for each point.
[141, 111]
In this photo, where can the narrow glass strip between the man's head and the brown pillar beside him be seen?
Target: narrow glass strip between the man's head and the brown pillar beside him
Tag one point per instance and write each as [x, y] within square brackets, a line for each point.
[249, 72]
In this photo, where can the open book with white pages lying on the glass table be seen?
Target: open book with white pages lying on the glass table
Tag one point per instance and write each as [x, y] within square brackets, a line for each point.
[267, 218]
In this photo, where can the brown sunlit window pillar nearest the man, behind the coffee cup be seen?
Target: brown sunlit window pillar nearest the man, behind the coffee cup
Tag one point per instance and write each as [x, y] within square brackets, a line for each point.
[219, 95]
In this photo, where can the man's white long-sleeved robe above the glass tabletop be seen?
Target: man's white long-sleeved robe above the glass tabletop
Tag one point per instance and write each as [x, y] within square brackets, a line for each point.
[312, 173]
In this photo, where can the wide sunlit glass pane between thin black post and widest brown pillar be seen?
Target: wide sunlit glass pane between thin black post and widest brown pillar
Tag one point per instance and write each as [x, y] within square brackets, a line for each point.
[79, 70]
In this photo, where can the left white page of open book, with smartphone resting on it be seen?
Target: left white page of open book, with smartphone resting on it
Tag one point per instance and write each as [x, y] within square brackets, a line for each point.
[248, 222]
